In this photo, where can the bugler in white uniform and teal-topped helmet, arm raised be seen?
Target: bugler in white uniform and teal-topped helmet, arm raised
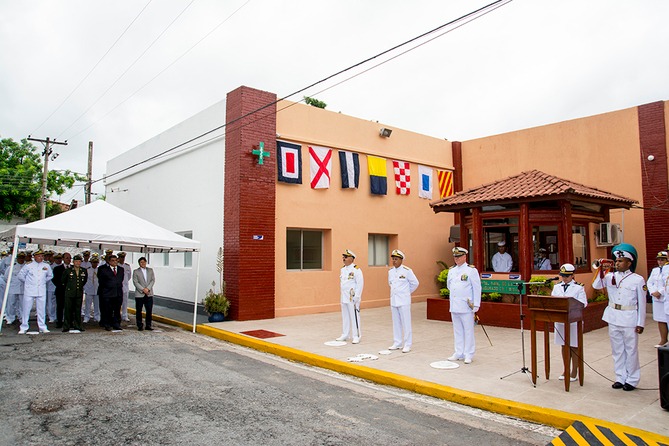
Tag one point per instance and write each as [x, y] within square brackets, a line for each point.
[626, 314]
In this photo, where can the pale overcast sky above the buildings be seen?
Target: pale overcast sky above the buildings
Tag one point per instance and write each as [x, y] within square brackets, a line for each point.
[527, 63]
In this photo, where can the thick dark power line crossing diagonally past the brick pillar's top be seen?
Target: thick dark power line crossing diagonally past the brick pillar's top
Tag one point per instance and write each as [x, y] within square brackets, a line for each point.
[467, 17]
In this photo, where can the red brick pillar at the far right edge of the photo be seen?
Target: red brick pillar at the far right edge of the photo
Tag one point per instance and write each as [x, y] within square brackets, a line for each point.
[654, 178]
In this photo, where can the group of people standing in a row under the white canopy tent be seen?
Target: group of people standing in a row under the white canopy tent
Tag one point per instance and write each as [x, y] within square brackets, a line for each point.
[56, 286]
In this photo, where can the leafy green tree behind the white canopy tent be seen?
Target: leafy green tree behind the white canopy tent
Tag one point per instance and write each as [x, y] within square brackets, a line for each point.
[21, 171]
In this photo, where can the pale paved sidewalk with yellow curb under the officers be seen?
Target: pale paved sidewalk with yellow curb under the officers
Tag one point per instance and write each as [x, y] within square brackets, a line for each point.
[493, 381]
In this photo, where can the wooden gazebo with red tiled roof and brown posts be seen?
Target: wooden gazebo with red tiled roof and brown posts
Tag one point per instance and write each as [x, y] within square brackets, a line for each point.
[532, 212]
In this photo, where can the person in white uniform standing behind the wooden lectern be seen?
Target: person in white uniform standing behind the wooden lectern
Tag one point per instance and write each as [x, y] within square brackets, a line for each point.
[569, 288]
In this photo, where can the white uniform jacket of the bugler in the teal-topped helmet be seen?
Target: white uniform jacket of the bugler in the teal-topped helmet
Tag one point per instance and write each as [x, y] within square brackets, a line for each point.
[627, 298]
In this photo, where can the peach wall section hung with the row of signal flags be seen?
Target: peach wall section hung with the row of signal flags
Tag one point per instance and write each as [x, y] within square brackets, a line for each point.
[349, 216]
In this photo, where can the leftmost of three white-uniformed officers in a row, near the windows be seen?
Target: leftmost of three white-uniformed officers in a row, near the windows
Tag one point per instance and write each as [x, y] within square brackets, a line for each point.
[351, 284]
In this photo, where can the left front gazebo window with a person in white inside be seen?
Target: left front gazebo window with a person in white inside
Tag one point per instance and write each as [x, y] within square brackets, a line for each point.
[495, 231]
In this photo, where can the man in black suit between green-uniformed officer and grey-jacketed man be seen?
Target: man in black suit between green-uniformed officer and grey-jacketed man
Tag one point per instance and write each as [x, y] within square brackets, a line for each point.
[110, 290]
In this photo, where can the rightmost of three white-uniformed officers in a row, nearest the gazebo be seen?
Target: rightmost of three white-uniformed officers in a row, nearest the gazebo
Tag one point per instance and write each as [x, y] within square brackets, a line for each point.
[464, 284]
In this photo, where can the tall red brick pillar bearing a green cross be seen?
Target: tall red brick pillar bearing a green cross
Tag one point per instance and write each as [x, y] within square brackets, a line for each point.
[250, 202]
